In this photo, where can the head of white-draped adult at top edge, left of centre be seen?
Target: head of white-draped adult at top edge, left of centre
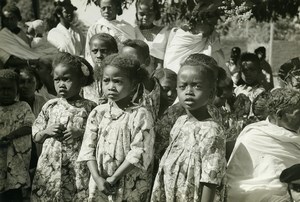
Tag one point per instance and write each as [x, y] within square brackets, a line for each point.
[110, 9]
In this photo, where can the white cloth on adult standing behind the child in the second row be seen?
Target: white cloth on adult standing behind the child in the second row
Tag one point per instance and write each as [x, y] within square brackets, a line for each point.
[120, 30]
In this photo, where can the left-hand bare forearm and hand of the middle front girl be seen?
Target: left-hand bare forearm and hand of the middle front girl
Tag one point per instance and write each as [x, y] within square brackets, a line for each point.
[102, 184]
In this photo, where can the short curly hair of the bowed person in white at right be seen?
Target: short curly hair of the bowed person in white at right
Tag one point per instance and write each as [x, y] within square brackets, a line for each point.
[283, 99]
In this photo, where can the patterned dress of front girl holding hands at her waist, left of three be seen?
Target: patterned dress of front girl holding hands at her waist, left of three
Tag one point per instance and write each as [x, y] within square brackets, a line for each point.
[58, 176]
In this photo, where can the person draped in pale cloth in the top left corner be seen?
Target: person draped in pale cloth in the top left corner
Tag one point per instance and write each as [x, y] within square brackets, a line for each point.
[15, 50]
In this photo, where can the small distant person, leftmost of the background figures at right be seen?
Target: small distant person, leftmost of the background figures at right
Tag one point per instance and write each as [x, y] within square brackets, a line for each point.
[232, 64]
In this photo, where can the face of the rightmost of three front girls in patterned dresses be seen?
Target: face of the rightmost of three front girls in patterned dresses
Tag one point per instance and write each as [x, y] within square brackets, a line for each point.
[193, 87]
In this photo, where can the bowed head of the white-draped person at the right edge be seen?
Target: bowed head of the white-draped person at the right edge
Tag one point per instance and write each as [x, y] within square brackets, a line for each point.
[284, 108]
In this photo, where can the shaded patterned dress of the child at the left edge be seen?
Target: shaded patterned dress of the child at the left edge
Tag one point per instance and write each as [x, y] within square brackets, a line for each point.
[15, 158]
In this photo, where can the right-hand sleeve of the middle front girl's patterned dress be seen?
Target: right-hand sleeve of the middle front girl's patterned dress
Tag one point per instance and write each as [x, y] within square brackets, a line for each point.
[142, 145]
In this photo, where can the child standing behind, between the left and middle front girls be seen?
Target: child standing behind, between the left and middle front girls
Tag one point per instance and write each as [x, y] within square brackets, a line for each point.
[101, 45]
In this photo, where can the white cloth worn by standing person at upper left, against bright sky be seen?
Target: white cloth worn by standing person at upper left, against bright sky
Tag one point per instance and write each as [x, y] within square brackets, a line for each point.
[67, 40]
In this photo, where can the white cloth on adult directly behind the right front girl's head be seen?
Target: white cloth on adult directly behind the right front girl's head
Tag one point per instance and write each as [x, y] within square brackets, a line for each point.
[181, 44]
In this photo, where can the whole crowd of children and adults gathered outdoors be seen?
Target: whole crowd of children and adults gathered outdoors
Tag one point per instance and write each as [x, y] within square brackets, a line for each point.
[144, 113]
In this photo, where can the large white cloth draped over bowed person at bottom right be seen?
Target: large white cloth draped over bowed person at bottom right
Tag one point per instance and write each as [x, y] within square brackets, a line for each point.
[262, 151]
